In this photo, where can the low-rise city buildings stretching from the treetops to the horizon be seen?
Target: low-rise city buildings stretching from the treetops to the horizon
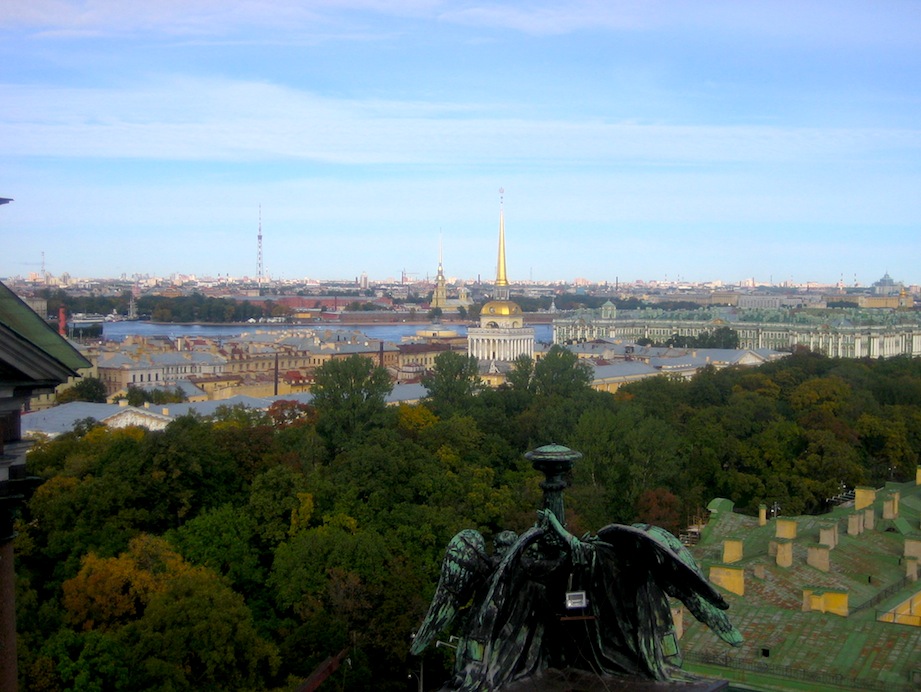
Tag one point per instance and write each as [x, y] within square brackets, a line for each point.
[301, 326]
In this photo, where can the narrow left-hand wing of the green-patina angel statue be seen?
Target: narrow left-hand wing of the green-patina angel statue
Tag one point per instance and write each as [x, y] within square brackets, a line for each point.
[464, 567]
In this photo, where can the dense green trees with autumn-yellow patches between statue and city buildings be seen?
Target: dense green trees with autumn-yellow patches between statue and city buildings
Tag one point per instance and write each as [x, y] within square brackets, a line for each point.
[241, 551]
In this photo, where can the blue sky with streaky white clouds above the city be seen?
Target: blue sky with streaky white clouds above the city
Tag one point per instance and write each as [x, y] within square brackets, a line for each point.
[683, 140]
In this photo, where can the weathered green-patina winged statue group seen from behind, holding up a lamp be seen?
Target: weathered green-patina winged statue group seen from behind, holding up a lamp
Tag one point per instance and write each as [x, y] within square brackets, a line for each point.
[546, 599]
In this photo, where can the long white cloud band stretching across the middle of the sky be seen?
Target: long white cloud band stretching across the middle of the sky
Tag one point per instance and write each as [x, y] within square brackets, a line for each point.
[241, 121]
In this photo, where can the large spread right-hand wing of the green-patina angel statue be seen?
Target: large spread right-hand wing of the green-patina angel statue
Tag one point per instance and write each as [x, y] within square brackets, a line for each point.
[675, 571]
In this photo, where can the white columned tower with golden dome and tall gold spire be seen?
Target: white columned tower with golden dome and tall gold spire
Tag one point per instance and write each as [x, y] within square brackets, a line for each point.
[501, 336]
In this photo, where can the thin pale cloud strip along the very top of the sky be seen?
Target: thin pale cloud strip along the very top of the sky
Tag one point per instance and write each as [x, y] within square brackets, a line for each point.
[816, 21]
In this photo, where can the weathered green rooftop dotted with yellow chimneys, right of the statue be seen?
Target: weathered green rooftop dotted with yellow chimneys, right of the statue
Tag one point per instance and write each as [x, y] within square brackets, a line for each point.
[785, 645]
